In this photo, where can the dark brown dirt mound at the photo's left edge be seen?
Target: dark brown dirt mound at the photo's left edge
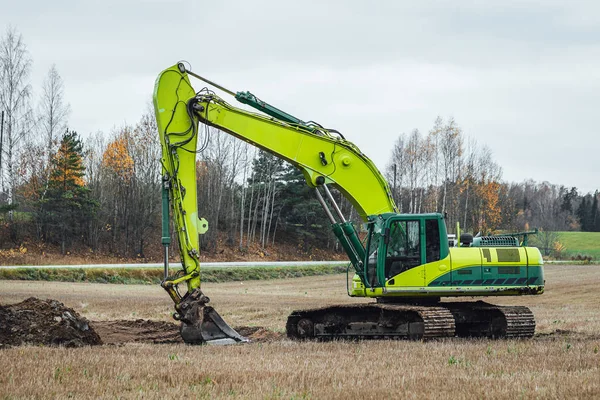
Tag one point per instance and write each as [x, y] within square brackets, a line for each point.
[44, 322]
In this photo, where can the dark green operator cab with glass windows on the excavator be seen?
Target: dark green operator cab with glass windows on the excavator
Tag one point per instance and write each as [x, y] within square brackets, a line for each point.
[398, 243]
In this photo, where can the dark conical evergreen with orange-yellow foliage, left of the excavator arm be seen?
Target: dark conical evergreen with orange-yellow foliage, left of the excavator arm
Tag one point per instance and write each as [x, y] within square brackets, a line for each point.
[66, 208]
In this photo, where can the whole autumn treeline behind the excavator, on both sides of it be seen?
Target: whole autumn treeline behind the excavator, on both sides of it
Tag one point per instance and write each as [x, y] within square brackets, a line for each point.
[102, 191]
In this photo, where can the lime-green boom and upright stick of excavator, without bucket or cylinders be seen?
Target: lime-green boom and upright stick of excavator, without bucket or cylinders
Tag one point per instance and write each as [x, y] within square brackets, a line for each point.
[322, 157]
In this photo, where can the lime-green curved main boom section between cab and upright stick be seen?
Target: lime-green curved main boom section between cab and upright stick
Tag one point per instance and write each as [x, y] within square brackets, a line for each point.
[347, 169]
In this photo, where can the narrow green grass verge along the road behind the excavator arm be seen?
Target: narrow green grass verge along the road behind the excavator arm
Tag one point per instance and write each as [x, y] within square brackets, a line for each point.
[154, 275]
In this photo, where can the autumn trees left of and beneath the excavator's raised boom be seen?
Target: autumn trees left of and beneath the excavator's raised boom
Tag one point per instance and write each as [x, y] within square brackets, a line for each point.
[102, 192]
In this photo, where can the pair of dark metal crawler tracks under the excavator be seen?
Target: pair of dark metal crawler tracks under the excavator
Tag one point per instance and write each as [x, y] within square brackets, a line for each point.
[396, 321]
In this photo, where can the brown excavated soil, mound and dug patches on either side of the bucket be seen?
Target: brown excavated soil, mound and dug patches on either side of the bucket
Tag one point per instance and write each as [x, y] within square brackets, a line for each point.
[51, 323]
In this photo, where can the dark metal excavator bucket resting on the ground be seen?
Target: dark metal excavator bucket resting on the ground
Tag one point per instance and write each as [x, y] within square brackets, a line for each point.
[202, 324]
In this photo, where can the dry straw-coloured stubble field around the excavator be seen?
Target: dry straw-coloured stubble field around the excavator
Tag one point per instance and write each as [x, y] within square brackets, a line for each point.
[561, 361]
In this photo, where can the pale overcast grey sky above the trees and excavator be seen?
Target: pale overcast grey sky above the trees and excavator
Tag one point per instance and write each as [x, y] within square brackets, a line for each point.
[520, 77]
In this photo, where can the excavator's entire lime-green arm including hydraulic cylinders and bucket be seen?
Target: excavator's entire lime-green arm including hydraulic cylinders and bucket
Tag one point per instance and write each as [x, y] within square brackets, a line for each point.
[324, 157]
